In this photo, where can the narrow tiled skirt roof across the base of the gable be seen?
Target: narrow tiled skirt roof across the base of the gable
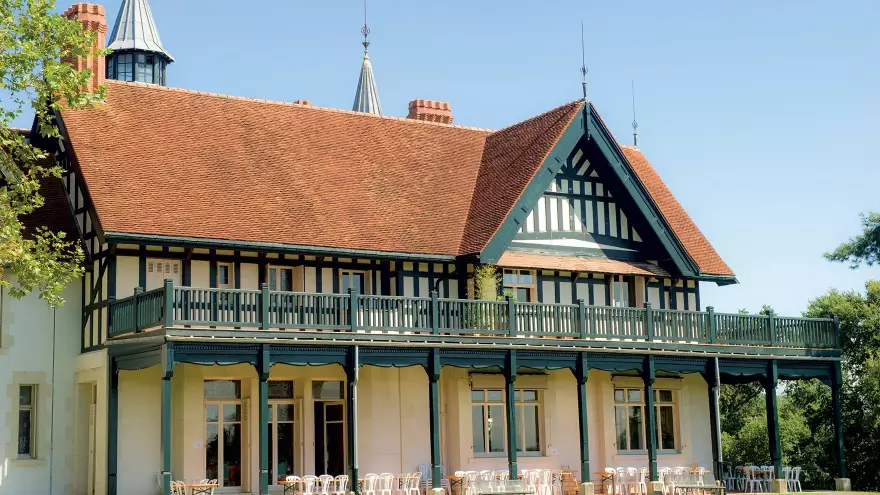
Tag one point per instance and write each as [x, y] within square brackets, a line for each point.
[515, 259]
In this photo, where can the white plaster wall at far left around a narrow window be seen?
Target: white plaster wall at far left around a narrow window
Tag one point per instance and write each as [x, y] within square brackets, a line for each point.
[27, 330]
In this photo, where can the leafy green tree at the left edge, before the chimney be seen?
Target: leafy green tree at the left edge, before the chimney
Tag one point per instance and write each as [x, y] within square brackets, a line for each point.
[34, 42]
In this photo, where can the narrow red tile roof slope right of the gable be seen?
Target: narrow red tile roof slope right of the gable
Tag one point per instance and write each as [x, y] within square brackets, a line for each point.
[685, 229]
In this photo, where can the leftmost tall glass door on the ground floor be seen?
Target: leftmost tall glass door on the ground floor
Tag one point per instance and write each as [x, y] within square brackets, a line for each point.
[223, 432]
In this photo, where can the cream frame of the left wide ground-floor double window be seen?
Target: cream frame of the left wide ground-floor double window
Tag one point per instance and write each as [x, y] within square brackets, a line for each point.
[519, 403]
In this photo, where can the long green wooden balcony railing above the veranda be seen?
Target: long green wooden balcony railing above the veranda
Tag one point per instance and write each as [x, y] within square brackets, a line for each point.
[263, 309]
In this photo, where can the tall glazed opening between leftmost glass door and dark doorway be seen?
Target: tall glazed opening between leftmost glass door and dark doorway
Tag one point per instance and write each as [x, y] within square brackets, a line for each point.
[282, 412]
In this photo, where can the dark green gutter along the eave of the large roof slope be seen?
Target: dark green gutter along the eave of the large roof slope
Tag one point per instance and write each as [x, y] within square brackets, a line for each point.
[206, 243]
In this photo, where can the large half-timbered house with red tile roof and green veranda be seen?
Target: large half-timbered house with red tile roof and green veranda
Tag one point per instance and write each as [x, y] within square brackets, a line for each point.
[275, 288]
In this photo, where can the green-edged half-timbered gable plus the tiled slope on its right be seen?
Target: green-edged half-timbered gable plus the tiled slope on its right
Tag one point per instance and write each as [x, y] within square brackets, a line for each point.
[648, 221]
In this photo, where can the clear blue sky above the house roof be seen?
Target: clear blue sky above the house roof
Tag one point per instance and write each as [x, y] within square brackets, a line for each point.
[762, 117]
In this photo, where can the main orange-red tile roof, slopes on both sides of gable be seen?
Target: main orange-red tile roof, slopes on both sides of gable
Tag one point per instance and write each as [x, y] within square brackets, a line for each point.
[175, 162]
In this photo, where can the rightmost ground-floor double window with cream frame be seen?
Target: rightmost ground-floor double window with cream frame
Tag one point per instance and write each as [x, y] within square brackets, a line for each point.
[629, 413]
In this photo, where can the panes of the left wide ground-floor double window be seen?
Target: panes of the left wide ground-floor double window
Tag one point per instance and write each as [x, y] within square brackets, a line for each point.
[489, 422]
